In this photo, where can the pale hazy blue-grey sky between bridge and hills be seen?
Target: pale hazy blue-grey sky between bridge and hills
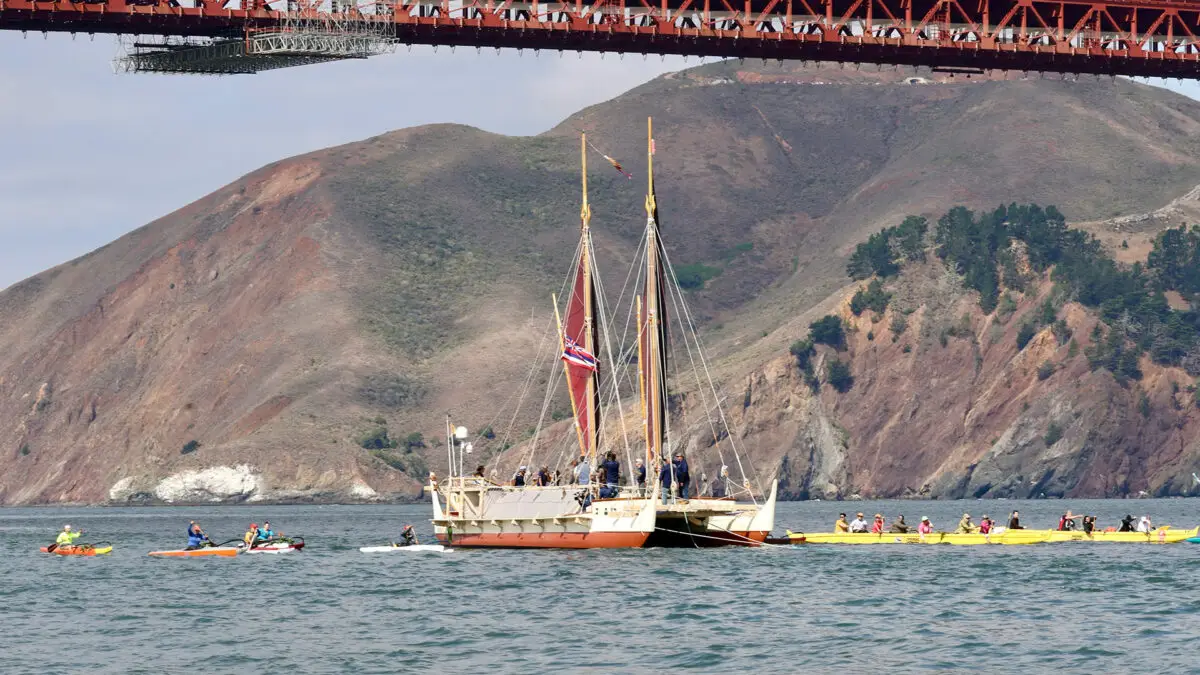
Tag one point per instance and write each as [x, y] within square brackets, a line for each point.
[87, 156]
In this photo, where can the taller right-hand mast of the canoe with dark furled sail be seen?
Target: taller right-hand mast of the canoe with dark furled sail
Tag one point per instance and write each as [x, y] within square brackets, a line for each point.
[653, 338]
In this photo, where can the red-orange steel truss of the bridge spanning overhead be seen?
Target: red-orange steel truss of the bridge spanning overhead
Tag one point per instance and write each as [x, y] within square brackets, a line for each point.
[1153, 39]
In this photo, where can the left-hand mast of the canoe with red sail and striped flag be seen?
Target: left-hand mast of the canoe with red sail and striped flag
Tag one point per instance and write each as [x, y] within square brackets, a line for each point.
[578, 332]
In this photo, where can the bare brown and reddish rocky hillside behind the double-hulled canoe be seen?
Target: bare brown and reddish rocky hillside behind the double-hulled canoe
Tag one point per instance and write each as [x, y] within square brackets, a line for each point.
[292, 336]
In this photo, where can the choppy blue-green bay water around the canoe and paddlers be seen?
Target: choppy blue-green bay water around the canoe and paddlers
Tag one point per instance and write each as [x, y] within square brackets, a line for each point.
[1069, 608]
